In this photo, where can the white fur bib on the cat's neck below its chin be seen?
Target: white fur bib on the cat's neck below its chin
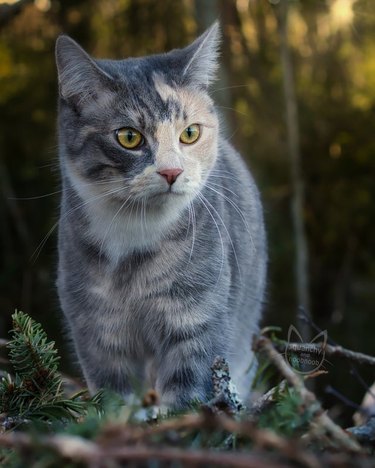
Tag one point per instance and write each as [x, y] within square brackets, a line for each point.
[119, 230]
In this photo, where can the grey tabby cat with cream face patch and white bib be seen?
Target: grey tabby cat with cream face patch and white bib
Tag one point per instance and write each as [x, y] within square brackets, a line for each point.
[162, 246]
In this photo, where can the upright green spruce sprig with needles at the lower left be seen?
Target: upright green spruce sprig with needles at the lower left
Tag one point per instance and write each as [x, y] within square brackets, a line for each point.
[35, 390]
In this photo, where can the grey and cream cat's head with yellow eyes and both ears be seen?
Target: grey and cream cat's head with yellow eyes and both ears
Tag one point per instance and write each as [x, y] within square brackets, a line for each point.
[139, 129]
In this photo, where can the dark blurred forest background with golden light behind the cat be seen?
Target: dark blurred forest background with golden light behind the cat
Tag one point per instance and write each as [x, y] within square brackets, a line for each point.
[298, 98]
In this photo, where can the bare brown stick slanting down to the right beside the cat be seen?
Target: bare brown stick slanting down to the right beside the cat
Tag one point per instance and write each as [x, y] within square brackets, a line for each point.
[320, 418]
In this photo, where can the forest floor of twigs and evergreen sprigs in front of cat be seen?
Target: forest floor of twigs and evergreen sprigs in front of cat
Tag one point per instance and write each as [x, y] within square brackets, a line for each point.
[40, 426]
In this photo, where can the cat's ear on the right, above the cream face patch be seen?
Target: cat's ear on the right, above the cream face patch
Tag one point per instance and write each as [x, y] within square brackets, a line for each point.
[201, 57]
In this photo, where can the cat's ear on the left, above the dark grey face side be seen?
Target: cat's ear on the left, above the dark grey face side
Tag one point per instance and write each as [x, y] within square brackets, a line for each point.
[80, 78]
